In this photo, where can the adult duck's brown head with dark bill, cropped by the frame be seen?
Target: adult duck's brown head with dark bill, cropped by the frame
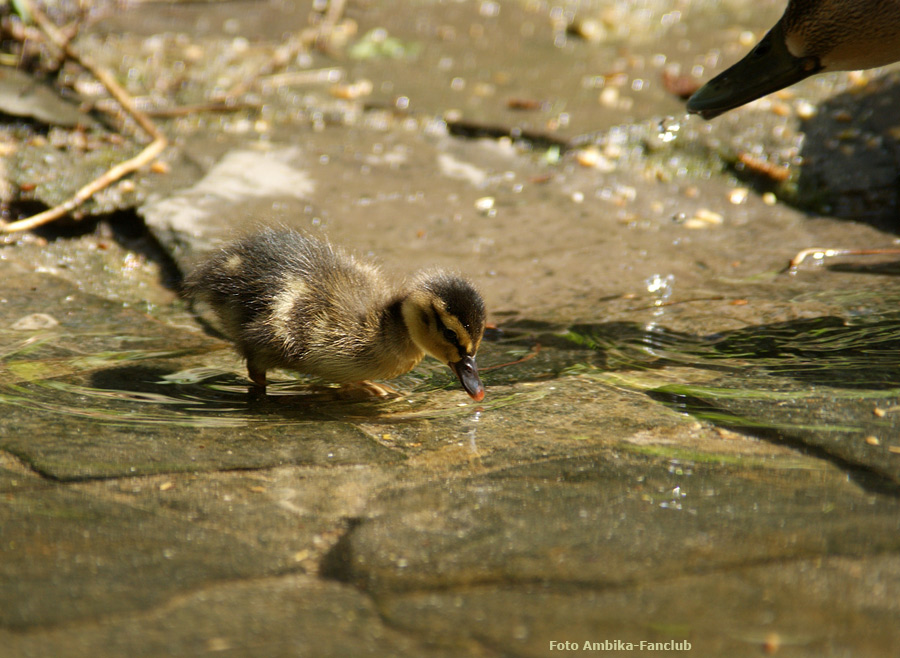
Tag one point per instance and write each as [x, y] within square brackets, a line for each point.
[813, 36]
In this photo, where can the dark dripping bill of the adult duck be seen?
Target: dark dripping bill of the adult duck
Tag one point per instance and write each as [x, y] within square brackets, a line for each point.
[770, 66]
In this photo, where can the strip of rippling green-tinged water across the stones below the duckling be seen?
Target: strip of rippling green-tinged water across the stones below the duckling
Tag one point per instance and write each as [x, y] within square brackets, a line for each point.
[826, 382]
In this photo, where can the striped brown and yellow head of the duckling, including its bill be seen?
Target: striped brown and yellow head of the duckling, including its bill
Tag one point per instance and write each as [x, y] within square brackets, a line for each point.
[444, 315]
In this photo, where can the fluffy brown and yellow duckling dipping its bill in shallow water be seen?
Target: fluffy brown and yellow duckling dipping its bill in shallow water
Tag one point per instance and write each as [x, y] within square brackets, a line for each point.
[291, 301]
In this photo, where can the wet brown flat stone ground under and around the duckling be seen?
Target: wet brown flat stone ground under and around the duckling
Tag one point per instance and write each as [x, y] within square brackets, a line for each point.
[679, 442]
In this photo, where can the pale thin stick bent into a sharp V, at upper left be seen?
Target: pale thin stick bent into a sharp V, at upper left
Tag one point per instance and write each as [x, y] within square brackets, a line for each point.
[122, 169]
